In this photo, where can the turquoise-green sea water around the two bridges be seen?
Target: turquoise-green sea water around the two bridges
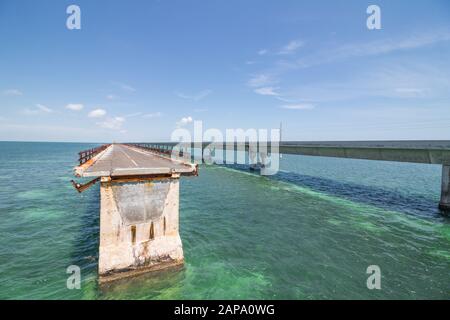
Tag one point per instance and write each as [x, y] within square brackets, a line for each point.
[308, 233]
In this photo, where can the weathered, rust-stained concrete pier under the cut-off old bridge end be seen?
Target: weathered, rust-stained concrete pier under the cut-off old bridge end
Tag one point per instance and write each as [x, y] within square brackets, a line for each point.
[139, 222]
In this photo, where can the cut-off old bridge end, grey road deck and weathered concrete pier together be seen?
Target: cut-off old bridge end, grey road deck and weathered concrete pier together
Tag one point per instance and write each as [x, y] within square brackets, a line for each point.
[139, 210]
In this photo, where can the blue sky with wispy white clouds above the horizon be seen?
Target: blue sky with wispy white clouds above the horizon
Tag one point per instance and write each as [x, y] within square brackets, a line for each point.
[138, 70]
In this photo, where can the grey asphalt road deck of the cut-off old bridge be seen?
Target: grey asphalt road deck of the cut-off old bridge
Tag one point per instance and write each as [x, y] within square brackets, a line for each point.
[123, 160]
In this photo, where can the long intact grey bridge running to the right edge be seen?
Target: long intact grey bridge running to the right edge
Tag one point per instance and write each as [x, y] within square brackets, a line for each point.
[427, 152]
